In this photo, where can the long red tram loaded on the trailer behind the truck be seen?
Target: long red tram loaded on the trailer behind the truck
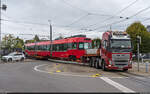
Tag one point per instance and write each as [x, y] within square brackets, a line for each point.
[71, 48]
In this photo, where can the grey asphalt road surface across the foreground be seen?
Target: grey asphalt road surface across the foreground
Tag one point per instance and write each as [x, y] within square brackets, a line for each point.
[32, 77]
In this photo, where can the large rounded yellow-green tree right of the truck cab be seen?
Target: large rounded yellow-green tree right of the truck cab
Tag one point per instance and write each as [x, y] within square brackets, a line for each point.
[138, 29]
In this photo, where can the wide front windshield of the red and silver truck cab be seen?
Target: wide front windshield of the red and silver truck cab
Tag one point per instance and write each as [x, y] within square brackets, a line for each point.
[120, 43]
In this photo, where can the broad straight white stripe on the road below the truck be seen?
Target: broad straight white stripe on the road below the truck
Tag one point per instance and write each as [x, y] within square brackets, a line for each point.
[117, 85]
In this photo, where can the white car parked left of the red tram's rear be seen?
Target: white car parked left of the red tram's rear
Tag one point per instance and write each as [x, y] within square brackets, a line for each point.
[14, 56]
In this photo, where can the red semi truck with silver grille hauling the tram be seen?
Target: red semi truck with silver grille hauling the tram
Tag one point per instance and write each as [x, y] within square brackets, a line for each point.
[114, 52]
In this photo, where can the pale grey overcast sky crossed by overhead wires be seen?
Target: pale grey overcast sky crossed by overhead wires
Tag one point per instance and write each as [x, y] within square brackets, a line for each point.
[25, 18]
